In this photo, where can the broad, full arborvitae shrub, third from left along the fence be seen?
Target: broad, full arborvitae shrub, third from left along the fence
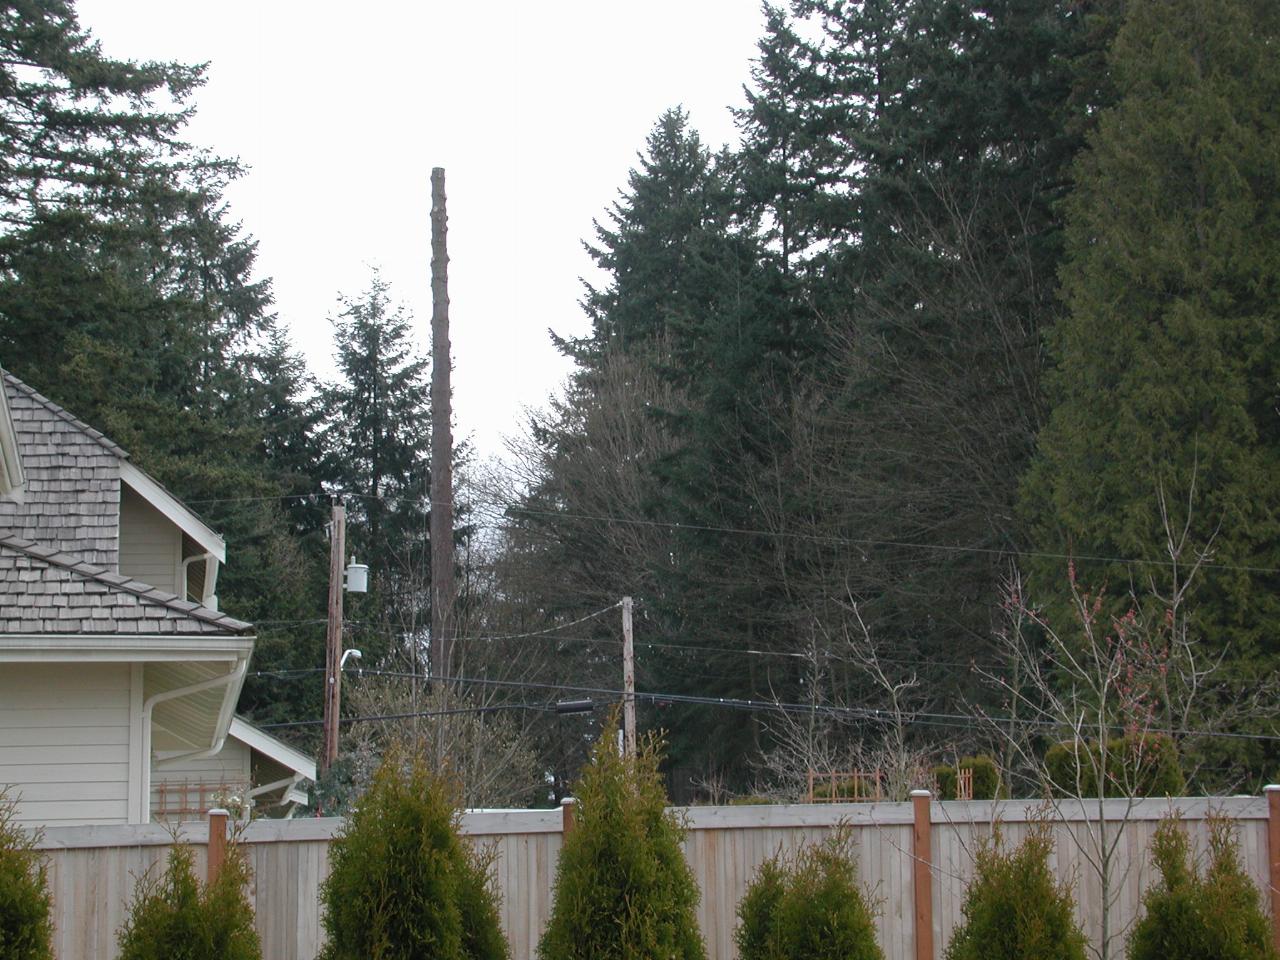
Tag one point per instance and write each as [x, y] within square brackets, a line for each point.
[403, 885]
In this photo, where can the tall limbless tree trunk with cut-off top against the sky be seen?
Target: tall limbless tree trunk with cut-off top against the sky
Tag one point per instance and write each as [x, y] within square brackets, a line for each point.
[442, 440]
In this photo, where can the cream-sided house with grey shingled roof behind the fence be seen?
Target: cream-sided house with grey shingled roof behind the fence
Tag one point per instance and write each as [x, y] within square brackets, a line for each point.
[118, 674]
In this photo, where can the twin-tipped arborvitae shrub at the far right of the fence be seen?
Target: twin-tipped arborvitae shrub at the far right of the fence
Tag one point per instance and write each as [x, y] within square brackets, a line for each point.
[1192, 917]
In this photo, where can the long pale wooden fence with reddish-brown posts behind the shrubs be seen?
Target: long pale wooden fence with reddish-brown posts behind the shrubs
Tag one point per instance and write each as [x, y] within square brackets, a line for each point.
[916, 860]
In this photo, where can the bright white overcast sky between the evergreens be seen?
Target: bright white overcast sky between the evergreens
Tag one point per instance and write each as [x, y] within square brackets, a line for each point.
[536, 112]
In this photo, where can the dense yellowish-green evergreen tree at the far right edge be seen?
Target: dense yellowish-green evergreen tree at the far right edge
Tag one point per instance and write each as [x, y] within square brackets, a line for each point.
[1168, 359]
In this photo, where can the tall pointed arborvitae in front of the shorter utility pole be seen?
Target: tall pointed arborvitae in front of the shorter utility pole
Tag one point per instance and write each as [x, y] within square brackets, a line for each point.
[623, 886]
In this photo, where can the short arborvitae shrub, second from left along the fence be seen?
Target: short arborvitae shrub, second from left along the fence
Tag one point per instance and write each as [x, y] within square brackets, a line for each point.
[175, 918]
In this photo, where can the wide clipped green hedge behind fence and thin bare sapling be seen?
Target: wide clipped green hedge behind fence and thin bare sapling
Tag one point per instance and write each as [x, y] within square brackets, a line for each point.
[1136, 765]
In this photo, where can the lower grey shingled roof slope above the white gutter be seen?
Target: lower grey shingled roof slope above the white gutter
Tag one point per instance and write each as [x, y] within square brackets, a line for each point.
[63, 595]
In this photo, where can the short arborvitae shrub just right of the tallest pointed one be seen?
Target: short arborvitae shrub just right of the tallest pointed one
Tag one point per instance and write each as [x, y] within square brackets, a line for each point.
[810, 908]
